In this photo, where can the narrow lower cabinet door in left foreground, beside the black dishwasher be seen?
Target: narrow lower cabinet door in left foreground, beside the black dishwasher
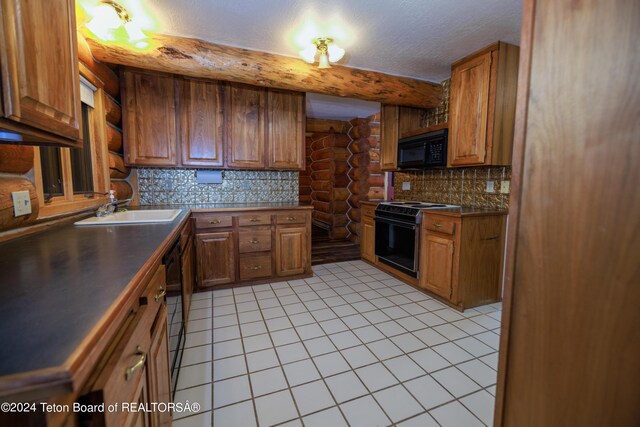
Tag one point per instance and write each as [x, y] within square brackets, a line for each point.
[158, 373]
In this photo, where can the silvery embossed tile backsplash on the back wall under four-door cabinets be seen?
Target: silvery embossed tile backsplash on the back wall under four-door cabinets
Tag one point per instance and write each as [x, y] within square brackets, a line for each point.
[179, 186]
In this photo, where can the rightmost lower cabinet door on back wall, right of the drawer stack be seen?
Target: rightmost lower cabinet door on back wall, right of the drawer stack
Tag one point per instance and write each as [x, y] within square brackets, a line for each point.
[292, 254]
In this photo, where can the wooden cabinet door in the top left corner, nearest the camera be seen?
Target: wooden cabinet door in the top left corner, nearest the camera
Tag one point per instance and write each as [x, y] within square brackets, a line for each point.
[40, 65]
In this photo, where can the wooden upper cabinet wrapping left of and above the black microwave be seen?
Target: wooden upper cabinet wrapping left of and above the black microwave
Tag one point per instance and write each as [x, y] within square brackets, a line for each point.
[395, 120]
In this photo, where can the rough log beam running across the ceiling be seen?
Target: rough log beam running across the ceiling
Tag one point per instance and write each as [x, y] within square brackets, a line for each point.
[200, 59]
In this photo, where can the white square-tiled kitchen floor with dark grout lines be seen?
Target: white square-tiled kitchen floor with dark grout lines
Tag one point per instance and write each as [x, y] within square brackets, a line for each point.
[349, 346]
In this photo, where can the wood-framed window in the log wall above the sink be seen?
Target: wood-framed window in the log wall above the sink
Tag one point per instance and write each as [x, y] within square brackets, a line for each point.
[72, 179]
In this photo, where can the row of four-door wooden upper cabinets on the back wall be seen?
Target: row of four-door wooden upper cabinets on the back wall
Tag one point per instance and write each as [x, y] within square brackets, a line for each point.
[175, 121]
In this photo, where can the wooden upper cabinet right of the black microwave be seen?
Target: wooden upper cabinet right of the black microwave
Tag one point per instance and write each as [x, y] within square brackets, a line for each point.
[482, 107]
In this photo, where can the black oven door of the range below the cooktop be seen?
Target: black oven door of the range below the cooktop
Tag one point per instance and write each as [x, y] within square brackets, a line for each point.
[397, 244]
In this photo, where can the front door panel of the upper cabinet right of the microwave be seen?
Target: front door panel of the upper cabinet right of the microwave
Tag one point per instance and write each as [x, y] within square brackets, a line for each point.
[469, 110]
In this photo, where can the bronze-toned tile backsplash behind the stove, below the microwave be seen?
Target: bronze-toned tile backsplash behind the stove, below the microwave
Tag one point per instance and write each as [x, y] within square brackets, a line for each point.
[463, 186]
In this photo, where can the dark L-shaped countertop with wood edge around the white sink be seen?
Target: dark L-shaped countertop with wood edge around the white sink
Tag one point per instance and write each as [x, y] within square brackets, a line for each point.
[56, 285]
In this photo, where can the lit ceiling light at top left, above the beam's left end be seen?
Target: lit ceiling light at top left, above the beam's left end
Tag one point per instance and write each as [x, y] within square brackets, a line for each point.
[108, 17]
